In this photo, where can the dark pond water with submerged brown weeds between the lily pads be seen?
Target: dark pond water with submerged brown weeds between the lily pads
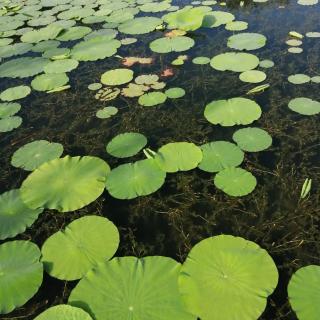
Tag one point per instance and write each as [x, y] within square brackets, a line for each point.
[188, 208]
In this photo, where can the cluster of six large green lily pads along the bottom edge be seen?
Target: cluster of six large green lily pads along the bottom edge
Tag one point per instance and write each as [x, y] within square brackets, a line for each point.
[222, 276]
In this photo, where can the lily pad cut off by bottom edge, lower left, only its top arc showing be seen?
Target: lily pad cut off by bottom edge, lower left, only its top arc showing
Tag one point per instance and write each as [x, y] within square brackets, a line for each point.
[63, 312]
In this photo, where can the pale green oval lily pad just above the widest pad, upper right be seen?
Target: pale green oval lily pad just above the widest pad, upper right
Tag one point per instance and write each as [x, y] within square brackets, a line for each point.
[247, 41]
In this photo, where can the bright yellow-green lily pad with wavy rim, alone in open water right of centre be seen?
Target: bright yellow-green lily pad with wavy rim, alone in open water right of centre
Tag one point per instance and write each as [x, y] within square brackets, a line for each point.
[232, 112]
